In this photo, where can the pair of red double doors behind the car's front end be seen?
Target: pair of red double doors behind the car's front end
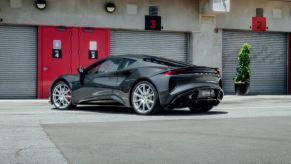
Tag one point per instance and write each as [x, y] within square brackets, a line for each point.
[61, 50]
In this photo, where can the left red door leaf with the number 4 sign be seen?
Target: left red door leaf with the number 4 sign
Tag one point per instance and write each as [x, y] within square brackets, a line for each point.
[54, 39]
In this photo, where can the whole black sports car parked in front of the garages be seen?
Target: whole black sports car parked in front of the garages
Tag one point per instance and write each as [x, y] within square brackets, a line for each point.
[148, 84]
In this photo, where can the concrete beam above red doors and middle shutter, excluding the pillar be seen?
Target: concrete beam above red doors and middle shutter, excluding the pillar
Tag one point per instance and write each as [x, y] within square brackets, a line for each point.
[177, 15]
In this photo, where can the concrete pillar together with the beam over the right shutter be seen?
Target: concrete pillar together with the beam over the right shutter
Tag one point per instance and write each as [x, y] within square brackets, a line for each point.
[207, 43]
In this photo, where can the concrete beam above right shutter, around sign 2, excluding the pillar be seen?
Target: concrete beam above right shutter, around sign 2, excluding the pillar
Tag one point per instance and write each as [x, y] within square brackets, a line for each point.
[242, 12]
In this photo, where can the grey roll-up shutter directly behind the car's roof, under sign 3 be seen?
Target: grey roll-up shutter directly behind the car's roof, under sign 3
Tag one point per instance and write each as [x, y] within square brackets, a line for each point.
[162, 44]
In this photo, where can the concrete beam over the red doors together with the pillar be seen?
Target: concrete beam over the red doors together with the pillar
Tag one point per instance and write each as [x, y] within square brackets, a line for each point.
[177, 15]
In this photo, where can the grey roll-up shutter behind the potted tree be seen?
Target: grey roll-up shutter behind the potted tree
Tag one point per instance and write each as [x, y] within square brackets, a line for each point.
[268, 61]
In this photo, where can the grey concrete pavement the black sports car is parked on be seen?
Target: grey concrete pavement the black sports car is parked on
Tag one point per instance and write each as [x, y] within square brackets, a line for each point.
[252, 129]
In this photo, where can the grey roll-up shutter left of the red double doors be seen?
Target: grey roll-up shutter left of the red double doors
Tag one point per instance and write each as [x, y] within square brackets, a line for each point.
[18, 62]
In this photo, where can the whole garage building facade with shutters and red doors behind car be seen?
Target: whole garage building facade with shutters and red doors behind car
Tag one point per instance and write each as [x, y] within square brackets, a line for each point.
[36, 45]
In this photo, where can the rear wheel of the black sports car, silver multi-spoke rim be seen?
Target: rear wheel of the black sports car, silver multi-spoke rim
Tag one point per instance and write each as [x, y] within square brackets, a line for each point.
[145, 99]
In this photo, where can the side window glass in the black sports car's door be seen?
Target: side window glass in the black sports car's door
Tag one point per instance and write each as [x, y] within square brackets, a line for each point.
[109, 65]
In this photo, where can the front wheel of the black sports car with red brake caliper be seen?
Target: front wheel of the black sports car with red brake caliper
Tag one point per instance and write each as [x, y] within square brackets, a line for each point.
[61, 96]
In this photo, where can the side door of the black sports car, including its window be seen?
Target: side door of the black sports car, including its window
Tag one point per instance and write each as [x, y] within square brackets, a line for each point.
[99, 81]
